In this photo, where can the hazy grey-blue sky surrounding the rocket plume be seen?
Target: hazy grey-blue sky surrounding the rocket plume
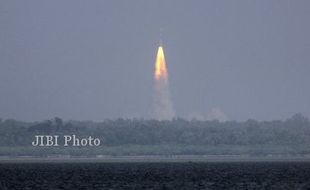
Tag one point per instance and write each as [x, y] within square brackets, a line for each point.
[94, 60]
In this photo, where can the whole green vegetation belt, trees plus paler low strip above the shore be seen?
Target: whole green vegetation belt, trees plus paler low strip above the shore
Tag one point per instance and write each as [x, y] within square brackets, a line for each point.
[152, 137]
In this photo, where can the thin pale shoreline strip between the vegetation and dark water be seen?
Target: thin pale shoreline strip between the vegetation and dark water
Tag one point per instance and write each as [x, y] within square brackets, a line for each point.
[154, 158]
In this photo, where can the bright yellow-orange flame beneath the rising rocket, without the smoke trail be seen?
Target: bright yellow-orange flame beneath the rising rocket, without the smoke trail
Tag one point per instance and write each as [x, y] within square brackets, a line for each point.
[160, 65]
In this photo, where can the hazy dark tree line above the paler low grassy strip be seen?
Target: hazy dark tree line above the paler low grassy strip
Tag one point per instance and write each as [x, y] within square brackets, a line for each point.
[294, 131]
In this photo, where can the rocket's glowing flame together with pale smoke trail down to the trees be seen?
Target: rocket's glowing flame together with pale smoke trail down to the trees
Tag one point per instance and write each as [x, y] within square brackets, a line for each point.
[163, 104]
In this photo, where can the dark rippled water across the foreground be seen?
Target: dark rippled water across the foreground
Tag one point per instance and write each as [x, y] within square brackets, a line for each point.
[245, 175]
